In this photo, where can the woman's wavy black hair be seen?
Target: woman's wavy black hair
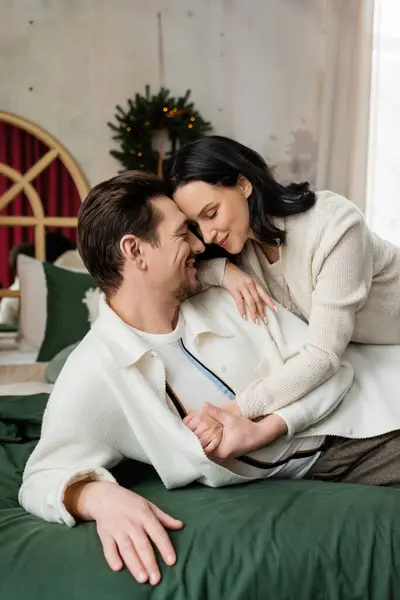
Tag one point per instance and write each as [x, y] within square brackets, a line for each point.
[220, 161]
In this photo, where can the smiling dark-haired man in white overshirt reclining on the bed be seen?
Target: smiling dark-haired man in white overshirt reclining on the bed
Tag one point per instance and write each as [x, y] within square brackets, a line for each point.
[148, 361]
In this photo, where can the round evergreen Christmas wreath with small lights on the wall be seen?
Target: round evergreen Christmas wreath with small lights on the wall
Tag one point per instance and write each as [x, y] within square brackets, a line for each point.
[153, 128]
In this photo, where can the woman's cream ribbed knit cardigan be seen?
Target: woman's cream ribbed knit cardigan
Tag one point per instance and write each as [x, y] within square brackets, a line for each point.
[338, 276]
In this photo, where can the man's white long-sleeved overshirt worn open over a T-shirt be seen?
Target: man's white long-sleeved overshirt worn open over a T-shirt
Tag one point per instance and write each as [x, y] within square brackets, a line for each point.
[109, 402]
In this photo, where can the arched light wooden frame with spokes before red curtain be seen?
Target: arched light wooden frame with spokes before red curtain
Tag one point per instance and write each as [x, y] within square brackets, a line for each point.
[22, 182]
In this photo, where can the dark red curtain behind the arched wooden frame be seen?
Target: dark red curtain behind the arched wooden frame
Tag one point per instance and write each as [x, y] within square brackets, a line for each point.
[21, 150]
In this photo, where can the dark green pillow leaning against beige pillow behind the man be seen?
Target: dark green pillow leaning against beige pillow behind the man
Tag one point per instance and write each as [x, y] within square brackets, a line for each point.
[67, 315]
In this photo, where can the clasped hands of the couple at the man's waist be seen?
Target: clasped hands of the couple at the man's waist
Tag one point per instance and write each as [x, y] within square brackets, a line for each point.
[225, 433]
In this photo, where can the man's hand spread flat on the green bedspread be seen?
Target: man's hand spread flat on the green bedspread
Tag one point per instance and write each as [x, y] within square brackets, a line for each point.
[126, 523]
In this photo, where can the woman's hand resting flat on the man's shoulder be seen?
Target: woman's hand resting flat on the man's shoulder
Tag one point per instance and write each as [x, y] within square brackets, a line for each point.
[247, 292]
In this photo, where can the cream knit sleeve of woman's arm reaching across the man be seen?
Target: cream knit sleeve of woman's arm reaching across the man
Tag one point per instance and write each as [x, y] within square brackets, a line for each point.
[342, 283]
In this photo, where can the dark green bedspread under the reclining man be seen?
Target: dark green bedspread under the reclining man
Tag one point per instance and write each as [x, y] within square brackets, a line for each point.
[268, 540]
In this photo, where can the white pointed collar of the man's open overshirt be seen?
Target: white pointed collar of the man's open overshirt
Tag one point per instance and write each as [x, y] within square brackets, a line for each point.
[127, 348]
